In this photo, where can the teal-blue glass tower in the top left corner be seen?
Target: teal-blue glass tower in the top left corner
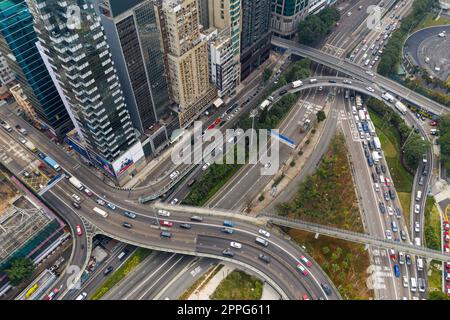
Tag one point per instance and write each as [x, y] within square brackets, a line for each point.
[17, 43]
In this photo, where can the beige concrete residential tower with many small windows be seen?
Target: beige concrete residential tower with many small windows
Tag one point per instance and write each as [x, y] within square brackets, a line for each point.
[186, 57]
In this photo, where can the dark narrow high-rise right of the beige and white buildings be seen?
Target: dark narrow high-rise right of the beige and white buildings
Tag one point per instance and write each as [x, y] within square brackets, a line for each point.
[255, 35]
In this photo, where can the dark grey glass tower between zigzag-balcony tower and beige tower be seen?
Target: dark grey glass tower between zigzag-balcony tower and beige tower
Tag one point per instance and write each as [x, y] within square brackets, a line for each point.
[132, 33]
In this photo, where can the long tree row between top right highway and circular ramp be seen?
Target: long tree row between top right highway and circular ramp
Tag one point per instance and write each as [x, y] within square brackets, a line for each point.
[392, 55]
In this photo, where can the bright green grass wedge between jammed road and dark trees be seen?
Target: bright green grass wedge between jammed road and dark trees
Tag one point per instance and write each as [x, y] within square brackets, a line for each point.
[390, 142]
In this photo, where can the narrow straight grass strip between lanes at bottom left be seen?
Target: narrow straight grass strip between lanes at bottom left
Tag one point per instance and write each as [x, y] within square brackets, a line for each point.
[137, 257]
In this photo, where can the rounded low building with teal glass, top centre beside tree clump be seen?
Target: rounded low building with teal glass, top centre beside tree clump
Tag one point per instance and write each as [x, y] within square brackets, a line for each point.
[286, 14]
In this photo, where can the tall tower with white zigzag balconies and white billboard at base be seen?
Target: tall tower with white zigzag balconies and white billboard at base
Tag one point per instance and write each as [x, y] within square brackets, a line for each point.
[76, 50]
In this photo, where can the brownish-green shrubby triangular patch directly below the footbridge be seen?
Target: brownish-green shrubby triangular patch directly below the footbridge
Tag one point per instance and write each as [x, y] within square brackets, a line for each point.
[344, 262]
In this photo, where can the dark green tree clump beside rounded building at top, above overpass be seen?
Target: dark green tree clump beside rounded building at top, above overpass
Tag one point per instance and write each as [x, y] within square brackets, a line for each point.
[315, 28]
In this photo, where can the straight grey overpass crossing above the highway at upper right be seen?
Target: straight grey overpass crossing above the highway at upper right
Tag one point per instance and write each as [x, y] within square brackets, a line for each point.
[360, 73]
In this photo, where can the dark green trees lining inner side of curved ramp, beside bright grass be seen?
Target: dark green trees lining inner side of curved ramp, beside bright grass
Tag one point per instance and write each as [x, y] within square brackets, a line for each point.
[415, 146]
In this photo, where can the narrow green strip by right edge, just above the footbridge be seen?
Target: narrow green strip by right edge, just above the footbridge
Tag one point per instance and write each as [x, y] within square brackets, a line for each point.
[432, 225]
